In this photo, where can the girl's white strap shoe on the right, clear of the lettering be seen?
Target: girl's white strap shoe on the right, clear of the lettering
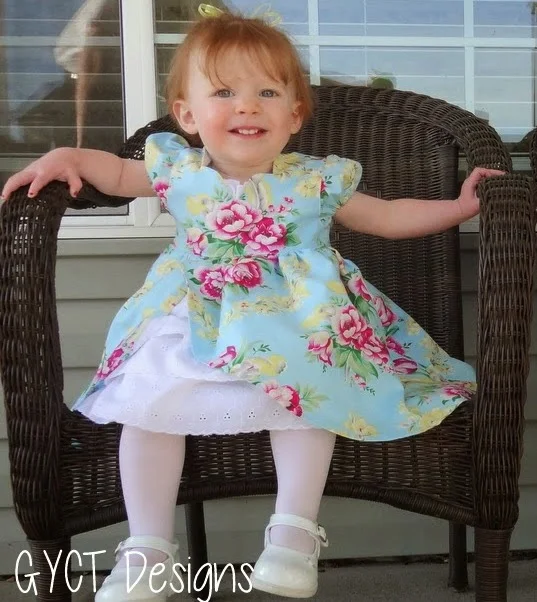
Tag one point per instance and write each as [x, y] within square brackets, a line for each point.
[286, 572]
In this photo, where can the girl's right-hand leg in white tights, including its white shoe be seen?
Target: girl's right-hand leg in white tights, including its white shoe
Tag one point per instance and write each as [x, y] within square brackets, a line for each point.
[288, 564]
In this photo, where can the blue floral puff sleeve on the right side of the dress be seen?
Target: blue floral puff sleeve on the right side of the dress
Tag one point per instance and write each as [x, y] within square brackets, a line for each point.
[340, 180]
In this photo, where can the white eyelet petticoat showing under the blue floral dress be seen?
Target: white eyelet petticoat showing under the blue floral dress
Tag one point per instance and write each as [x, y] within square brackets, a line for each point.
[162, 388]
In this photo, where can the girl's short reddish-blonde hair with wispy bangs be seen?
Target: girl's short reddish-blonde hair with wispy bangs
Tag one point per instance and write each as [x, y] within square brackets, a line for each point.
[214, 37]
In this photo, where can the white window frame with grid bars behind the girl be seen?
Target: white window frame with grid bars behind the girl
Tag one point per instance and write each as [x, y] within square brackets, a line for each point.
[140, 96]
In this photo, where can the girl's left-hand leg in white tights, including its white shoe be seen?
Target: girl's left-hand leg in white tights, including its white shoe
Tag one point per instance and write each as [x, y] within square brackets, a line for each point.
[151, 465]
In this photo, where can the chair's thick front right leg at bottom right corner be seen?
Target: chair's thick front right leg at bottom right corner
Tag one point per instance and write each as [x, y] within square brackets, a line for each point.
[491, 564]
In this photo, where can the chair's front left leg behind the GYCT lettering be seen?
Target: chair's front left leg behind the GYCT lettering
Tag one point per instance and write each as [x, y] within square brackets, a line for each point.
[50, 583]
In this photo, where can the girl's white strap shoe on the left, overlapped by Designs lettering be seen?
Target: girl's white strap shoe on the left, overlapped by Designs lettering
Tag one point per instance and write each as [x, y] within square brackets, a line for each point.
[136, 583]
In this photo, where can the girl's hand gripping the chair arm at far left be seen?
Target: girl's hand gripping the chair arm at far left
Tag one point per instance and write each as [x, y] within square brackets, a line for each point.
[59, 164]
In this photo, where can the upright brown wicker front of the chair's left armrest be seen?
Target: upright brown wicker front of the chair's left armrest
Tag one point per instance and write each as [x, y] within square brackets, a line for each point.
[30, 355]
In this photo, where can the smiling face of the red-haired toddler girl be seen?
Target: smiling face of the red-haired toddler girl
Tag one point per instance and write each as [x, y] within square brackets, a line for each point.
[243, 117]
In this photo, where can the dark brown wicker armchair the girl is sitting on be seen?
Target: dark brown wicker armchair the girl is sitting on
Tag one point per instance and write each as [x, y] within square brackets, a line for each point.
[65, 469]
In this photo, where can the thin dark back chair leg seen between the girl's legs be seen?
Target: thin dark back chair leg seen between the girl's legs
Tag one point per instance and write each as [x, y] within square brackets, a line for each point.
[197, 549]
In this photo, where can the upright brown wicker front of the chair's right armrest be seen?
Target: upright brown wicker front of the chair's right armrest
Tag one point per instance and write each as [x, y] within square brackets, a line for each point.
[505, 303]
